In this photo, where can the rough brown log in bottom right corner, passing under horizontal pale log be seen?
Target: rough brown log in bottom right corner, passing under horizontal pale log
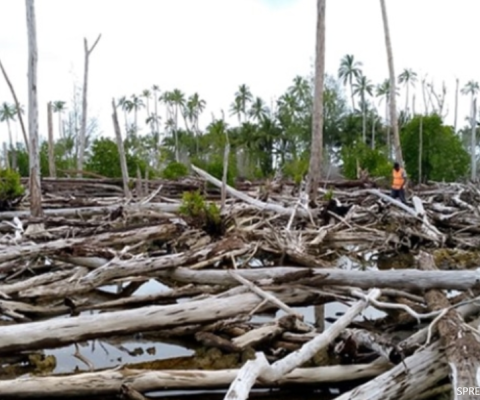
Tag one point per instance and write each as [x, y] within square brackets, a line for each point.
[462, 346]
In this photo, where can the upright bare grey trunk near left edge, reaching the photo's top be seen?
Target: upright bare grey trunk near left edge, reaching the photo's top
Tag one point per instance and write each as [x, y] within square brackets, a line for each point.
[34, 154]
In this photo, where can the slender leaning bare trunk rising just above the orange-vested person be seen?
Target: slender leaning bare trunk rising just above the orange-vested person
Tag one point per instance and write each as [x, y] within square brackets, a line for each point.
[393, 100]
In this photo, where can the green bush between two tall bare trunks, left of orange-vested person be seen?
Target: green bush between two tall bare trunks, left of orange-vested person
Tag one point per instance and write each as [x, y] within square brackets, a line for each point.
[374, 161]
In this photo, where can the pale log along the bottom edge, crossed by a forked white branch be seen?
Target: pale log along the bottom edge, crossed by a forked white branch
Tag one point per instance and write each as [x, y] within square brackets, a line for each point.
[110, 381]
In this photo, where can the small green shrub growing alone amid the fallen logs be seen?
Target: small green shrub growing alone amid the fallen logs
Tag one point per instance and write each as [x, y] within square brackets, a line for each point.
[207, 215]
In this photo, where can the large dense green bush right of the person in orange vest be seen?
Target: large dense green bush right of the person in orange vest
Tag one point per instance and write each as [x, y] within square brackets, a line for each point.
[443, 156]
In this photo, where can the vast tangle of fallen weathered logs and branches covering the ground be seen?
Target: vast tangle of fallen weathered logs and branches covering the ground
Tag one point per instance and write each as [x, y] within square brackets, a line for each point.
[278, 252]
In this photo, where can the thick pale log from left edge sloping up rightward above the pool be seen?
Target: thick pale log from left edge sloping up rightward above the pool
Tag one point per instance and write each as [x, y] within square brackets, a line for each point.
[53, 333]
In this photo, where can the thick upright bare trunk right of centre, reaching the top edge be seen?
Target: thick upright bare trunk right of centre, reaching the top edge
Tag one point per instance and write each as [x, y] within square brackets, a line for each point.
[316, 152]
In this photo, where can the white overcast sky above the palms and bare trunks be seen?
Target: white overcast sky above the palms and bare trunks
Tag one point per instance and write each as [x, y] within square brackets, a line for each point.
[213, 46]
